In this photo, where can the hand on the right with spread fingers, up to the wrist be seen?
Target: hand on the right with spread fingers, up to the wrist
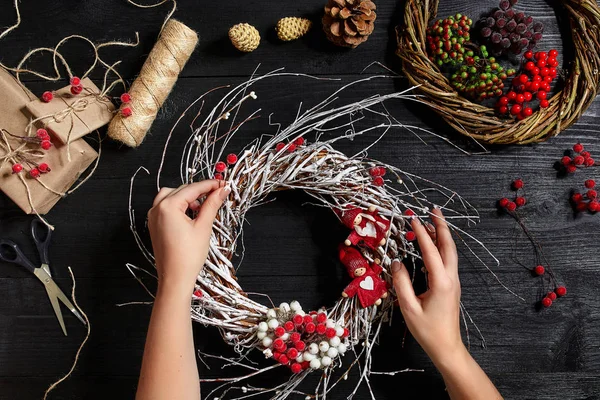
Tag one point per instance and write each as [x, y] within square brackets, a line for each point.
[433, 317]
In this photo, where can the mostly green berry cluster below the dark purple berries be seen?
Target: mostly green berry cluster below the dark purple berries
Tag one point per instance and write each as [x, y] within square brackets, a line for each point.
[480, 77]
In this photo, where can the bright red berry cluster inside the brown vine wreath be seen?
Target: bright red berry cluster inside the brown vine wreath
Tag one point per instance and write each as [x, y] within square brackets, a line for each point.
[539, 72]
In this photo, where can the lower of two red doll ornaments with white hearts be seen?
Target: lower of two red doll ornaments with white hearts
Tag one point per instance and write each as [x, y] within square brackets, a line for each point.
[366, 283]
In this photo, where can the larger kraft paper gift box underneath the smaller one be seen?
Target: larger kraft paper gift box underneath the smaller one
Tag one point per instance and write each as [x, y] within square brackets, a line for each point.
[14, 118]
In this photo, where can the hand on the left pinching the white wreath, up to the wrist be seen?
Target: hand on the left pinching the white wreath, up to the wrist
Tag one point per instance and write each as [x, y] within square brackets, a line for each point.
[180, 243]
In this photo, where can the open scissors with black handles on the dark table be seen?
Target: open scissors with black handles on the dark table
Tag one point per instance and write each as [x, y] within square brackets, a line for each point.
[11, 253]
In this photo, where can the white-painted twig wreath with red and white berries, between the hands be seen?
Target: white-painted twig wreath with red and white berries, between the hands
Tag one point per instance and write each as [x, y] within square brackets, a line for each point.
[287, 161]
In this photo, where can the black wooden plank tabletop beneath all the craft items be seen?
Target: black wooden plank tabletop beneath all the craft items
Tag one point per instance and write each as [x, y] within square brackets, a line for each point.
[530, 354]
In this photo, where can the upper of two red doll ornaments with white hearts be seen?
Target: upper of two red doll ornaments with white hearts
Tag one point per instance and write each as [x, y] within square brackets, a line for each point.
[368, 227]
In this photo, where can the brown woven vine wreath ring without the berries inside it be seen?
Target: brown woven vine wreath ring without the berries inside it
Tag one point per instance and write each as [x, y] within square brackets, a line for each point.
[581, 83]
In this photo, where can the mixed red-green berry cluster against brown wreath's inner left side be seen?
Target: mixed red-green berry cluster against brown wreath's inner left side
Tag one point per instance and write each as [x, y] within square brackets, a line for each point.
[446, 39]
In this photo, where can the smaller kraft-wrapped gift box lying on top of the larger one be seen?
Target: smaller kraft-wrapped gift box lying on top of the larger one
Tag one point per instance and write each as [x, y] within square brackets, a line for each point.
[70, 116]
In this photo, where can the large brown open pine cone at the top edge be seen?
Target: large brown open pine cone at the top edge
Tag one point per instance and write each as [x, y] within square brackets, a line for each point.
[349, 23]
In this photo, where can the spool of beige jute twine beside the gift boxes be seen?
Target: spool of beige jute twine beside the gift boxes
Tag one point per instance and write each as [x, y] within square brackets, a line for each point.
[152, 87]
